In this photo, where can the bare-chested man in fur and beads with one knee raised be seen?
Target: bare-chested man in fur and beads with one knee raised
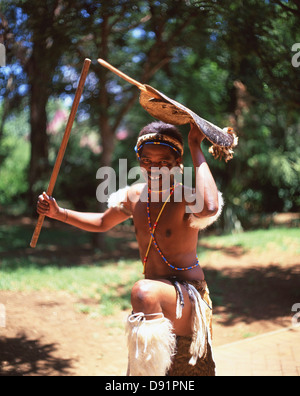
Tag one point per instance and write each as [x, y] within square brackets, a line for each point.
[172, 303]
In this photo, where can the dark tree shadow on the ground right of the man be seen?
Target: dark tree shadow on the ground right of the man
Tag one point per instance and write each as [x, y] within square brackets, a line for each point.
[252, 294]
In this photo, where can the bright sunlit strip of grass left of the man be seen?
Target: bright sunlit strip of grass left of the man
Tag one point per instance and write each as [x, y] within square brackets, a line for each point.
[108, 285]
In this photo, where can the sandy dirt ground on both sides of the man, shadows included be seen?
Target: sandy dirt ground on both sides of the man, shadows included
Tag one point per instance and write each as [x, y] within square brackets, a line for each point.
[45, 334]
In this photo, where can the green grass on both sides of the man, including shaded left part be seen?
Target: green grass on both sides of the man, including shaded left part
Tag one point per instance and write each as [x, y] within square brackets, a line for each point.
[106, 285]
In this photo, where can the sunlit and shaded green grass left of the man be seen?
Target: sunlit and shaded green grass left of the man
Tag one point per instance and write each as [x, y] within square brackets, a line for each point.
[106, 284]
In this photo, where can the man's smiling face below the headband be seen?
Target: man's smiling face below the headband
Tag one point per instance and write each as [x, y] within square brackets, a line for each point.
[158, 161]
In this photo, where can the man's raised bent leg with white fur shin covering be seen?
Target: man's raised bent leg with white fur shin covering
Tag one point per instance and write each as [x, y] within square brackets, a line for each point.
[153, 326]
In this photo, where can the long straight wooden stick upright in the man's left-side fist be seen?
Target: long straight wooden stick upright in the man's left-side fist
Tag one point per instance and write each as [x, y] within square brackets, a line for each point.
[61, 153]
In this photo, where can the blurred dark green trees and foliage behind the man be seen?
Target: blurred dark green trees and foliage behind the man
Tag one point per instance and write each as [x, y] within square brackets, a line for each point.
[229, 61]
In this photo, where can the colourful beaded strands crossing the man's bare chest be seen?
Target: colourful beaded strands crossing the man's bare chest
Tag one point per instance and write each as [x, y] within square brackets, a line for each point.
[152, 231]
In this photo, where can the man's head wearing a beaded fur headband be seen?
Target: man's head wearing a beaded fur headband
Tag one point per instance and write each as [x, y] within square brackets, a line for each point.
[159, 148]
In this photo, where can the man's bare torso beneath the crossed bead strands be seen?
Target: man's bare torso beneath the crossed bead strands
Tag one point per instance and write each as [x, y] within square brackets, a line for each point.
[174, 236]
